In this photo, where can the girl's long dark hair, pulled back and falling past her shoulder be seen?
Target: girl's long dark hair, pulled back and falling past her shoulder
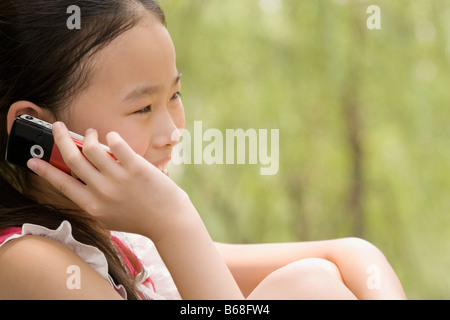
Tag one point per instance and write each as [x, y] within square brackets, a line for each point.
[45, 62]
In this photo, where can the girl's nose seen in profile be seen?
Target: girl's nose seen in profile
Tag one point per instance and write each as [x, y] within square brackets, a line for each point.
[167, 132]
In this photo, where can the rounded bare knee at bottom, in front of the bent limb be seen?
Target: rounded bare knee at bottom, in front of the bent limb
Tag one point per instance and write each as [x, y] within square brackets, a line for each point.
[306, 279]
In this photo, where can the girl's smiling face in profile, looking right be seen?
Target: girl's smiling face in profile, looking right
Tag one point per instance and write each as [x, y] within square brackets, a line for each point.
[134, 90]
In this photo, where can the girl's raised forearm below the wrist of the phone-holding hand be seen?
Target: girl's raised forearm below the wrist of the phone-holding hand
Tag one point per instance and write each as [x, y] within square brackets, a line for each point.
[194, 262]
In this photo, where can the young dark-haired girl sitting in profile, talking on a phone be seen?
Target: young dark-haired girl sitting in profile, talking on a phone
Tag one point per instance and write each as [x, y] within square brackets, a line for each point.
[115, 80]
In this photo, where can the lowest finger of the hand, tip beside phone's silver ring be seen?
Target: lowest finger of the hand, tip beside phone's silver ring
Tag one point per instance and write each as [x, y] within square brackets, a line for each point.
[67, 185]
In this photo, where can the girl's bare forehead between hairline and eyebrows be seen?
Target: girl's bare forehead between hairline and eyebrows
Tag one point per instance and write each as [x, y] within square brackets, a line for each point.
[142, 56]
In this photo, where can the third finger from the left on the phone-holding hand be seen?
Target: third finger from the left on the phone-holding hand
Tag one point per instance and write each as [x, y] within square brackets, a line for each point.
[96, 154]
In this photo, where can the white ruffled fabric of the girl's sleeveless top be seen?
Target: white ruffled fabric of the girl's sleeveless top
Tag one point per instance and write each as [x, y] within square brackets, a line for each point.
[161, 286]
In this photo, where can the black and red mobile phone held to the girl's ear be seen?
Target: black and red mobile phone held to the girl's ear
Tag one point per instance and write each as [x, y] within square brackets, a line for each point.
[33, 138]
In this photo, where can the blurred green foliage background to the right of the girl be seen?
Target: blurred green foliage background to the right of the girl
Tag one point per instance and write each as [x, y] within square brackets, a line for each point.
[363, 117]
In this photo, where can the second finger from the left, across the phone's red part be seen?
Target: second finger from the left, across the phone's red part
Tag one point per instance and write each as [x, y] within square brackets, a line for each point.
[72, 156]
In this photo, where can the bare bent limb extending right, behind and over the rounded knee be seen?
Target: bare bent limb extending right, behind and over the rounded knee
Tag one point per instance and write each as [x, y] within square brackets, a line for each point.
[364, 269]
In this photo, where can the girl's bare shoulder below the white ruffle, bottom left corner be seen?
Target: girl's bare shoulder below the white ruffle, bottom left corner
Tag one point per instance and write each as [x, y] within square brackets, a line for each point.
[34, 267]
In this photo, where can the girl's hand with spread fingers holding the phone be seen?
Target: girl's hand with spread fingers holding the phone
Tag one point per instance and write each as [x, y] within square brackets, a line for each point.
[126, 193]
